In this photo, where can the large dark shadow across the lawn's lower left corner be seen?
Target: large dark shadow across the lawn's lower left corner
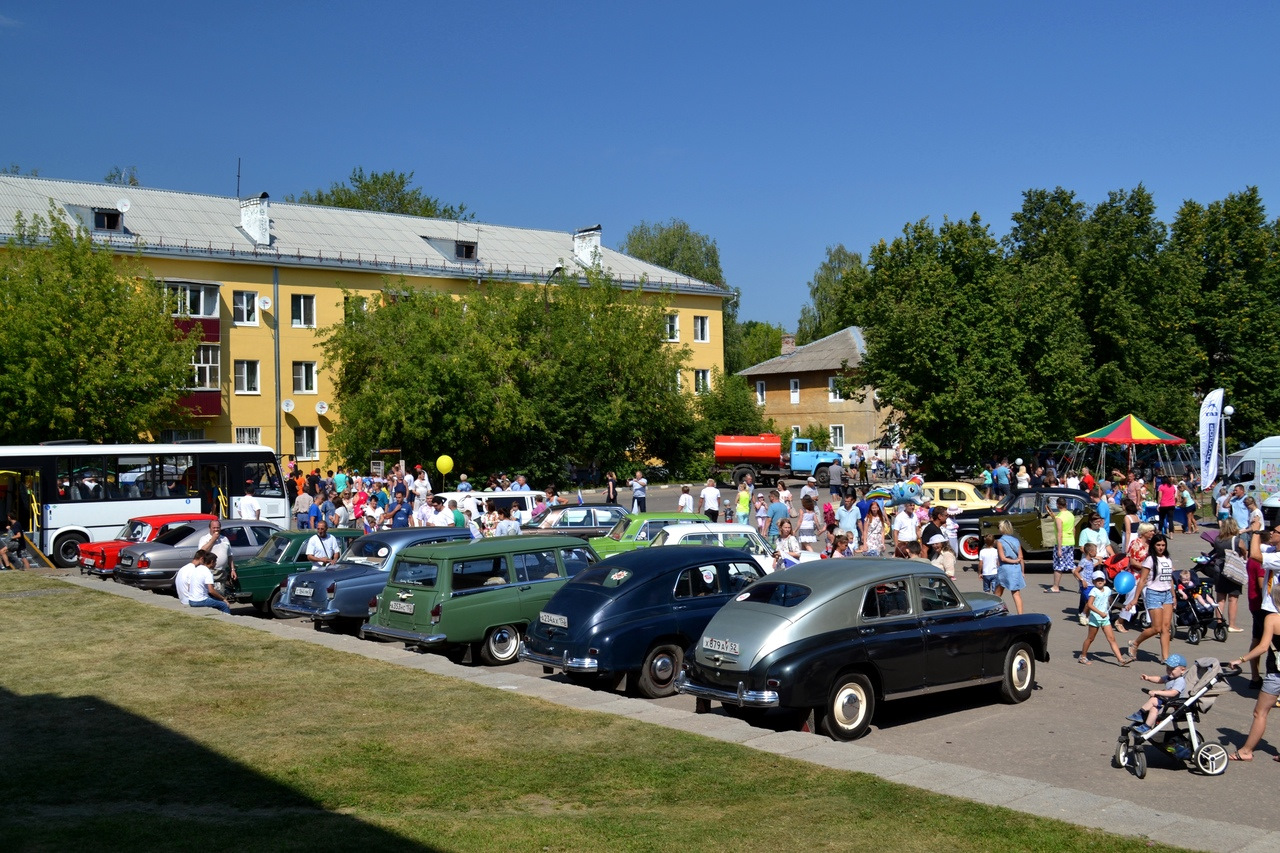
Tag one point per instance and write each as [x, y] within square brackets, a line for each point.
[79, 773]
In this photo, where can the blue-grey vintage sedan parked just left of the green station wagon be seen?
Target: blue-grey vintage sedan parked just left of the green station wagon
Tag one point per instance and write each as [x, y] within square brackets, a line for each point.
[341, 596]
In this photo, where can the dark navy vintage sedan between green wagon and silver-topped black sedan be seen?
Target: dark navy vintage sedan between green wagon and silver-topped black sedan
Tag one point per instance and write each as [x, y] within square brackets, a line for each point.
[636, 615]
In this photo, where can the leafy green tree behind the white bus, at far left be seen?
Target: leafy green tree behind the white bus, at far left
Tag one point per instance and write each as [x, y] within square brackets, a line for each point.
[90, 348]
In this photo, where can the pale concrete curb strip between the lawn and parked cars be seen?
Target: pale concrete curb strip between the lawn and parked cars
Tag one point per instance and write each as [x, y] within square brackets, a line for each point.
[1080, 808]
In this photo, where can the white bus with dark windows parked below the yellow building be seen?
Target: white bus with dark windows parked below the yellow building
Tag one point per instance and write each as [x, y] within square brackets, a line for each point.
[68, 494]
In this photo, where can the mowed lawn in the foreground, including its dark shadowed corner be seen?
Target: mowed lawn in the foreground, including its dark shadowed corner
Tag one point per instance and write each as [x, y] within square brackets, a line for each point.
[125, 727]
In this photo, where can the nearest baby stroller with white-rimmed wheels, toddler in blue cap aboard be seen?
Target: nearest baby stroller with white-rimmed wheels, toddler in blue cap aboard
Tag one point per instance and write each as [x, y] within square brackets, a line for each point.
[1176, 731]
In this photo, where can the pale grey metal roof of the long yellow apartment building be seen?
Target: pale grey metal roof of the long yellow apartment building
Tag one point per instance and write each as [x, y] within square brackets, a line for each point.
[170, 223]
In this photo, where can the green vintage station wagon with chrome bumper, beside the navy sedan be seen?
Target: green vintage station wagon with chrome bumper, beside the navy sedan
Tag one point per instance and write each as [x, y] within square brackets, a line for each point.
[477, 597]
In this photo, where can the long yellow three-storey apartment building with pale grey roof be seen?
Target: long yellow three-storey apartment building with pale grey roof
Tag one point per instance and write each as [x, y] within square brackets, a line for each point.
[262, 277]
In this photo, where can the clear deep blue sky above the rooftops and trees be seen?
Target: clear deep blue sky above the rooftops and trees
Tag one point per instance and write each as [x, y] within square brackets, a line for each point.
[776, 129]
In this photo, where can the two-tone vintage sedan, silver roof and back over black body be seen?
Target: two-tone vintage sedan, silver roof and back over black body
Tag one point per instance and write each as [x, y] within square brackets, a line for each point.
[839, 638]
